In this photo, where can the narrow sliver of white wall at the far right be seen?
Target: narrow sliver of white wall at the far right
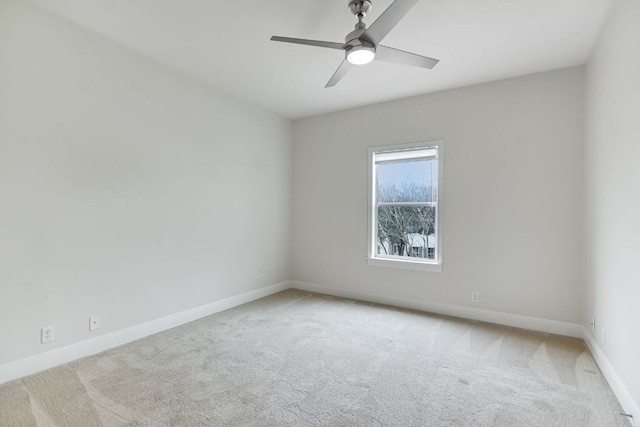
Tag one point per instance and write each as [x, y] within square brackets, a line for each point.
[612, 193]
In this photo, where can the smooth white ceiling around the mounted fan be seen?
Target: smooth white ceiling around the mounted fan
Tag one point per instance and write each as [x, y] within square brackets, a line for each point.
[226, 44]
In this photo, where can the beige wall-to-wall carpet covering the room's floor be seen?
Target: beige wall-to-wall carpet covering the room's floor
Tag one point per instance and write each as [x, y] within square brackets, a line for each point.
[301, 359]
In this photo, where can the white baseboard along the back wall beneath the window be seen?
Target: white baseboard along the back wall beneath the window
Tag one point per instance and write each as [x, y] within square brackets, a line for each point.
[515, 320]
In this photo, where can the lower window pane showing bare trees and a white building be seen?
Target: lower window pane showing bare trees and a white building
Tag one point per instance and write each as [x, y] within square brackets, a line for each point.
[406, 231]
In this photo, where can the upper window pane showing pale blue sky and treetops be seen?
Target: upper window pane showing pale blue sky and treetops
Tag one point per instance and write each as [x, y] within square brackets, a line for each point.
[409, 181]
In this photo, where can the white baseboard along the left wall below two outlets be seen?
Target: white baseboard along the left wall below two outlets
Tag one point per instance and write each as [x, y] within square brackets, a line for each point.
[30, 365]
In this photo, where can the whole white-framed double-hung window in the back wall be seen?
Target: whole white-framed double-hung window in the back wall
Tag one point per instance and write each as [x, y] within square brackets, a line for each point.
[405, 193]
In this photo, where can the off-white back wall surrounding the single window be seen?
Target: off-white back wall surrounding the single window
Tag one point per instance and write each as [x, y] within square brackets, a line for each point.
[512, 195]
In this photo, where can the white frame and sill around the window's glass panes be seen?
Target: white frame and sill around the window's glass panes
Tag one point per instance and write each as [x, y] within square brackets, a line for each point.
[373, 258]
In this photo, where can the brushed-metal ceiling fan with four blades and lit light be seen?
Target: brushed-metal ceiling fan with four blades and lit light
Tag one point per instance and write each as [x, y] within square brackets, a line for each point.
[362, 46]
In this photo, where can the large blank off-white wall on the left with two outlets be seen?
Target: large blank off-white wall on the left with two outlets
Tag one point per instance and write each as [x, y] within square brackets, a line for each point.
[126, 189]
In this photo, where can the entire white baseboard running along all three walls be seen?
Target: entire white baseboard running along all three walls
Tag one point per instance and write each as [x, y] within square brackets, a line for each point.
[31, 365]
